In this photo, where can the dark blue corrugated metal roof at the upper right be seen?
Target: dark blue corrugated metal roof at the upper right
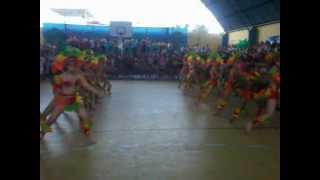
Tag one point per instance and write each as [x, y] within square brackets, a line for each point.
[237, 14]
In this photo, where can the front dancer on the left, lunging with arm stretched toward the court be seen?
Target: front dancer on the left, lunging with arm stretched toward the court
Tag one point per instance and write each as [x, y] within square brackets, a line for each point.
[67, 77]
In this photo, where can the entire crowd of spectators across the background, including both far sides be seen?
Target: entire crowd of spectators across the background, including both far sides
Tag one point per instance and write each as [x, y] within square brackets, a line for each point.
[145, 59]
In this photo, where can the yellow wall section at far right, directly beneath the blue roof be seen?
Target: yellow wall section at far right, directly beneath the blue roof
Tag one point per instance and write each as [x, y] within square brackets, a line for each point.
[268, 30]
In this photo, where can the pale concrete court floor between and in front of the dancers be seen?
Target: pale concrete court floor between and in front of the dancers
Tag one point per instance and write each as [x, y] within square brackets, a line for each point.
[150, 130]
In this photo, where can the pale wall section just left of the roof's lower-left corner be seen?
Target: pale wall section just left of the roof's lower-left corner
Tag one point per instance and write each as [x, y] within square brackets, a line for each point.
[212, 40]
